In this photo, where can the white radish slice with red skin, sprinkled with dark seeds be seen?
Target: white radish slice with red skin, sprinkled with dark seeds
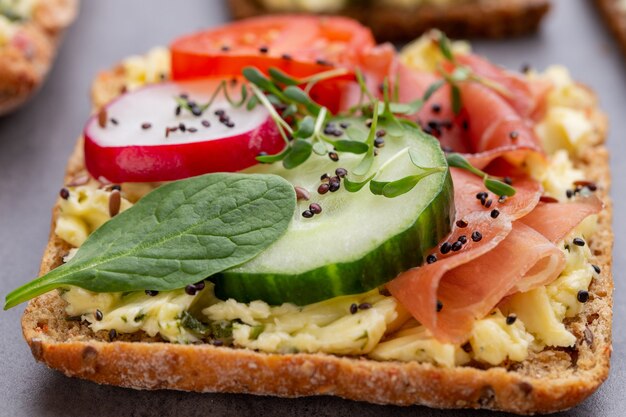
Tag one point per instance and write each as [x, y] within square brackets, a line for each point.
[143, 138]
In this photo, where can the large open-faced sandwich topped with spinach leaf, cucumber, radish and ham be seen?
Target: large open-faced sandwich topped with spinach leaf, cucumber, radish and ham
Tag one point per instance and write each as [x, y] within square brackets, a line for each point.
[280, 206]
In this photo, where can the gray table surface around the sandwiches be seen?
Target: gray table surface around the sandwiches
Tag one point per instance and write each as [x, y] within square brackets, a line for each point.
[36, 141]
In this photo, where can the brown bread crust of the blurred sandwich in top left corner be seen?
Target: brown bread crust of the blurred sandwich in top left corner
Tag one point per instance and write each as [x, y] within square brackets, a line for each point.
[24, 64]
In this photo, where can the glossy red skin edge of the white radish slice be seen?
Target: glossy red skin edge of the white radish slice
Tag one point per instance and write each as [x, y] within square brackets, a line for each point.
[148, 163]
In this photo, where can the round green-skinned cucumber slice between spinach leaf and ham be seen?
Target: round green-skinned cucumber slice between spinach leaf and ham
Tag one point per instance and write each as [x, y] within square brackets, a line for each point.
[360, 240]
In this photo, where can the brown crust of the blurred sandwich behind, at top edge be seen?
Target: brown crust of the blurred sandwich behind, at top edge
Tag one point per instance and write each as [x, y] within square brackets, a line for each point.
[481, 18]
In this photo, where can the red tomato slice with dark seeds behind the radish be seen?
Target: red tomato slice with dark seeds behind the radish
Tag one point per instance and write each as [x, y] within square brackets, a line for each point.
[299, 45]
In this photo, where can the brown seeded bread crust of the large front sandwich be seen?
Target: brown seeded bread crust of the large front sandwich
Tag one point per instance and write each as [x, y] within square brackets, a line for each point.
[548, 381]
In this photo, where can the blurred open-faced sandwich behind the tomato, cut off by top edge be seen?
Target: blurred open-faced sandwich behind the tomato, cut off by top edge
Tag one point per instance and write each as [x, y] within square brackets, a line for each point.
[403, 20]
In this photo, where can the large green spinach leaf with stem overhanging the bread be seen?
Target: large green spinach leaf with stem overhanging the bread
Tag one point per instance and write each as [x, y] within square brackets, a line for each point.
[179, 234]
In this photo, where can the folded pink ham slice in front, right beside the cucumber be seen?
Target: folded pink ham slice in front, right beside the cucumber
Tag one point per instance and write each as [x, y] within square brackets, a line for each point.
[511, 256]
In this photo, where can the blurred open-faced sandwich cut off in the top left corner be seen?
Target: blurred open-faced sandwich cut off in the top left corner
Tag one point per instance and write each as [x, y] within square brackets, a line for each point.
[30, 32]
